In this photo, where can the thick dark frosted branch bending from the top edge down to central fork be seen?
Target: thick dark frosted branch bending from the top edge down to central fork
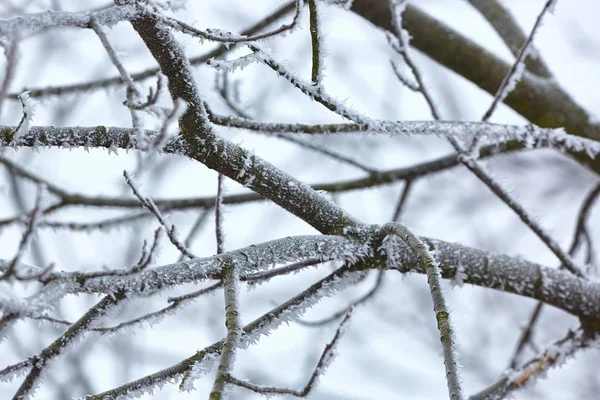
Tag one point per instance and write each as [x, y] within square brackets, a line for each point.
[227, 158]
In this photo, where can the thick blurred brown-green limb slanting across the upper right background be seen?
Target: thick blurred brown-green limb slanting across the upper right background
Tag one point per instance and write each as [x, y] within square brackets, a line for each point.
[542, 102]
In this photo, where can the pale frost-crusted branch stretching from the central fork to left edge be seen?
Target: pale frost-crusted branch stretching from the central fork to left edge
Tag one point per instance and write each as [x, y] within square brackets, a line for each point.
[251, 259]
